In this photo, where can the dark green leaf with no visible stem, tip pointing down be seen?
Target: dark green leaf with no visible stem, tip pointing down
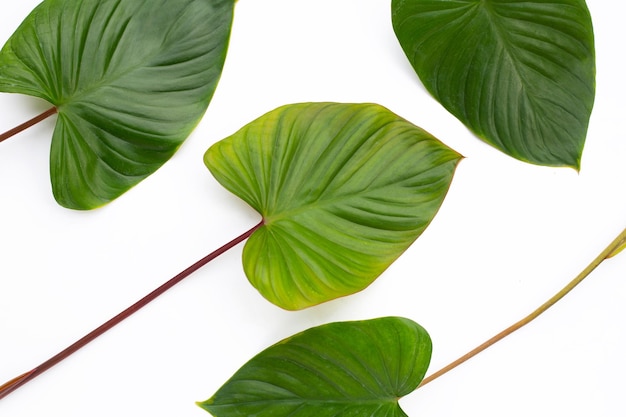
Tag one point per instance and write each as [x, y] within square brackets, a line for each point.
[519, 74]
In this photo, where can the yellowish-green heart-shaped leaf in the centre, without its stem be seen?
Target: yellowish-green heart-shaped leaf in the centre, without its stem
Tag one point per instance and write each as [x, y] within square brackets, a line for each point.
[343, 189]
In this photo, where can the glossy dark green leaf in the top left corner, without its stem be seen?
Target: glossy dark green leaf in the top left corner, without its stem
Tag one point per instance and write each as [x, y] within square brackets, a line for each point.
[130, 80]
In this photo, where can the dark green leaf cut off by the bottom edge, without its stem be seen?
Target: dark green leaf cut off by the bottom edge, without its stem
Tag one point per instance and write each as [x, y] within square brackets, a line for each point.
[340, 369]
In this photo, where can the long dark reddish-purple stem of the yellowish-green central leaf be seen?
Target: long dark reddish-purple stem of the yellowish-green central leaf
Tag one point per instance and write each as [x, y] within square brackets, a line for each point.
[17, 382]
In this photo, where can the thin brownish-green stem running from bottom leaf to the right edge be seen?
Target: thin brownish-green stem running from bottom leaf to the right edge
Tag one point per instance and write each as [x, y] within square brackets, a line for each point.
[610, 250]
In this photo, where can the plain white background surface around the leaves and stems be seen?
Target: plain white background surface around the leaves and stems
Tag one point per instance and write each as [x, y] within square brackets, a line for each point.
[508, 236]
